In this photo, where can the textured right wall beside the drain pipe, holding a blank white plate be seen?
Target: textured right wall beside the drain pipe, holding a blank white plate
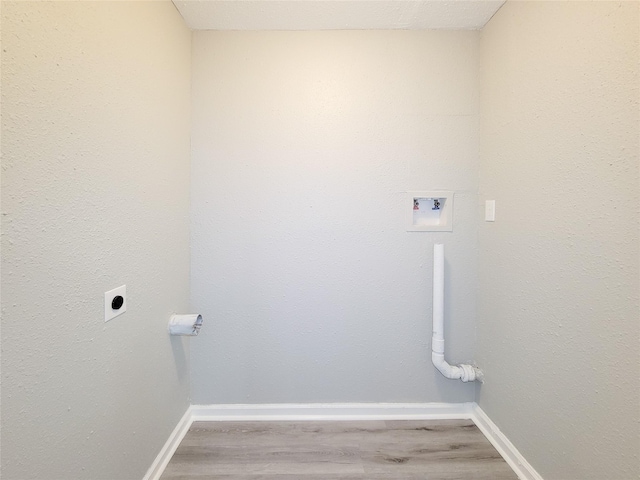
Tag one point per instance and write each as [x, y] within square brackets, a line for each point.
[558, 306]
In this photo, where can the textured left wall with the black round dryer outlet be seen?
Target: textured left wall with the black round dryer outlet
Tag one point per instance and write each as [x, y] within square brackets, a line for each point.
[95, 181]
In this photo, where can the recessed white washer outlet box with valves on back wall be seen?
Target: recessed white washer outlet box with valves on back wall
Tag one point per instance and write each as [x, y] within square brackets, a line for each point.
[429, 211]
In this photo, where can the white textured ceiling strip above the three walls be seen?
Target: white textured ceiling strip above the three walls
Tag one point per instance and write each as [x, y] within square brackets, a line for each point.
[336, 14]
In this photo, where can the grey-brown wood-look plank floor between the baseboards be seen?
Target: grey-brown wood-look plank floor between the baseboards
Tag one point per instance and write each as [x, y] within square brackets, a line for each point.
[361, 450]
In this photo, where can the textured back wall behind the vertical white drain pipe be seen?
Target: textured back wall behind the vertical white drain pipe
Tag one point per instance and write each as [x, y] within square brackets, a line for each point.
[303, 145]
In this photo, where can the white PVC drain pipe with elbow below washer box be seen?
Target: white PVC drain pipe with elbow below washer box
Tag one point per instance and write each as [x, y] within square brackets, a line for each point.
[464, 372]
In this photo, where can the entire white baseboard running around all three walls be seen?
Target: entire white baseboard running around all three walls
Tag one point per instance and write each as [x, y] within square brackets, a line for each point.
[345, 411]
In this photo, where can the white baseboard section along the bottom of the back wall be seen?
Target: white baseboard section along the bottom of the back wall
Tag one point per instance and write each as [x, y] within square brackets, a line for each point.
[333, 411]
